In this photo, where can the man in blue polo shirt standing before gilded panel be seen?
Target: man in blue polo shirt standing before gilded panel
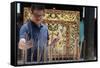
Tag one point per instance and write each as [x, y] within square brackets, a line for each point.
[35, 30]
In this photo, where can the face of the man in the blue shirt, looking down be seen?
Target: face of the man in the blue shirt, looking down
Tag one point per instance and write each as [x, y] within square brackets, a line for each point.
[37, 16]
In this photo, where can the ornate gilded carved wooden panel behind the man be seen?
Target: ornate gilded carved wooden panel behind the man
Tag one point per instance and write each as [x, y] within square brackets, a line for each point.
[66, 24]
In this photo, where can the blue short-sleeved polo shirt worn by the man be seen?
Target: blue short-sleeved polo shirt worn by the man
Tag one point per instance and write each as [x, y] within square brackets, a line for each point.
[38, 34]
